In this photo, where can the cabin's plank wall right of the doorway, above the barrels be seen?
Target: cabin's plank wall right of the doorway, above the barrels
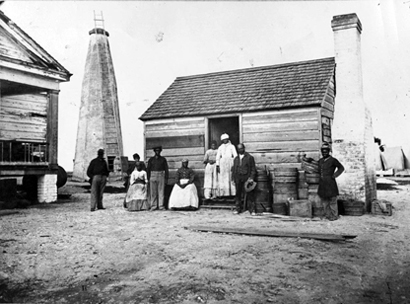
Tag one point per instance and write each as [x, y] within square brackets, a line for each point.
[279, 138]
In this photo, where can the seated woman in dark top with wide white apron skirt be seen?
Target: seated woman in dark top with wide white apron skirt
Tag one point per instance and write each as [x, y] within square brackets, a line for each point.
[184, 194]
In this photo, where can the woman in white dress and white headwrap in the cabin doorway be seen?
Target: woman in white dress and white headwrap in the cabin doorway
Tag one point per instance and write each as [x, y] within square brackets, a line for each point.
[224, 162]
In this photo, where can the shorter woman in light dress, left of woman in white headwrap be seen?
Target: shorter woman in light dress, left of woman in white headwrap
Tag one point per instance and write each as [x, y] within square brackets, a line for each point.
[211, 176]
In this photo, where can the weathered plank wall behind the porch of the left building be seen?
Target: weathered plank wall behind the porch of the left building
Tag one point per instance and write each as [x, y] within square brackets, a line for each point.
[23, 117]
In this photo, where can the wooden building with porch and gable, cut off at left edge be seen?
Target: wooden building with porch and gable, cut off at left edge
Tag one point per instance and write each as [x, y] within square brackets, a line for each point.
[29, 90]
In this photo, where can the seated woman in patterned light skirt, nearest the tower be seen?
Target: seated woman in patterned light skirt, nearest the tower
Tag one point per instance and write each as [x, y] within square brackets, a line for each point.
[136, 198]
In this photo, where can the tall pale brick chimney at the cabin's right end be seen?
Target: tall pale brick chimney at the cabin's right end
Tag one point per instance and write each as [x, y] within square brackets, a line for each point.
[352, 131]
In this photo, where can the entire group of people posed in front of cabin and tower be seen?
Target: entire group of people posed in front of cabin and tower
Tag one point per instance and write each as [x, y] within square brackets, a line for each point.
[229, 171]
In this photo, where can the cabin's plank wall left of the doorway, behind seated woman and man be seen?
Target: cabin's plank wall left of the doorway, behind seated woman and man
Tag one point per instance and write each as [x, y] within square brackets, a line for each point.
[180, 138]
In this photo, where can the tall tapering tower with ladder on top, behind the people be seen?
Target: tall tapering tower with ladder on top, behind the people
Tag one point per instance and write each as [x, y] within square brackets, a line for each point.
[99, 124]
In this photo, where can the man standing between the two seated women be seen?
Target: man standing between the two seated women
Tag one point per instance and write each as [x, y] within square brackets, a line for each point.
[157, 172]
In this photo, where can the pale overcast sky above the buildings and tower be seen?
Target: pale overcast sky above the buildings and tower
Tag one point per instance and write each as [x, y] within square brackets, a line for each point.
[152, 43]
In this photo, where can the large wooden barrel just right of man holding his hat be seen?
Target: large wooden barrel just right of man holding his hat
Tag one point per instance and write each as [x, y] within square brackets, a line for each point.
[285, 188]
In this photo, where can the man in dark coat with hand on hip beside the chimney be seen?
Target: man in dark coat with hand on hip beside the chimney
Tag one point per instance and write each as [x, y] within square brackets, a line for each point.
[329, 169]
